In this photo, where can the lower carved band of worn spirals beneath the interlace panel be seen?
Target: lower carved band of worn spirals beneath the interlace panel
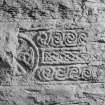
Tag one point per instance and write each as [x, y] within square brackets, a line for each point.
[70, 73]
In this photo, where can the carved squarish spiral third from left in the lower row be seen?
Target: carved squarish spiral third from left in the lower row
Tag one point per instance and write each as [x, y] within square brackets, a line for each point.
[74, 73]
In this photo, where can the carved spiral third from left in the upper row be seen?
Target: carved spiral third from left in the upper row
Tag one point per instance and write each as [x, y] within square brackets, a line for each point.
[70, 38]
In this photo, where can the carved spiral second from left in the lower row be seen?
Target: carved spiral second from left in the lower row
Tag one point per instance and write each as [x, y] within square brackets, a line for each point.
[61, 74]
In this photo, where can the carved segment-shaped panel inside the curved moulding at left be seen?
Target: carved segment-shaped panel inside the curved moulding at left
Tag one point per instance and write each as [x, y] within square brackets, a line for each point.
[26, 54]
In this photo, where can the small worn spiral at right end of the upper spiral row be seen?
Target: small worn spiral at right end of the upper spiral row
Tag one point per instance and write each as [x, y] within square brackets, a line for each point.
[82, 38]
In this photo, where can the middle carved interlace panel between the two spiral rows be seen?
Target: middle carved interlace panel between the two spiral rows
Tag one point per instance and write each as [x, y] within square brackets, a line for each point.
[64, 56]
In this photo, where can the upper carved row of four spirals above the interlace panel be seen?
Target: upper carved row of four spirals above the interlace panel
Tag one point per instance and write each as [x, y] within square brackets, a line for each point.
[61, 38]
